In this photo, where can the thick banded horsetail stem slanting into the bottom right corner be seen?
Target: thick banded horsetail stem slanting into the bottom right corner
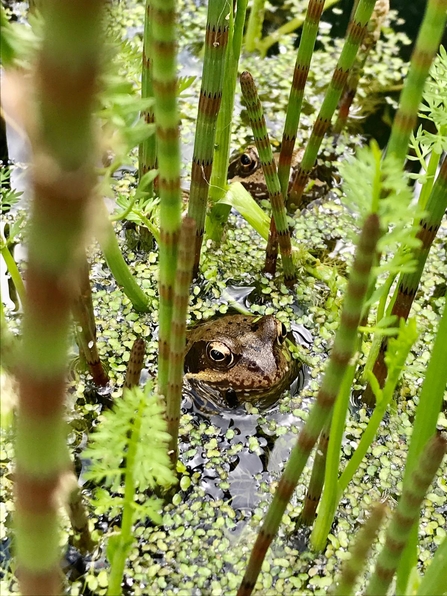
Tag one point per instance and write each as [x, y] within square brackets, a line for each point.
[405, 515]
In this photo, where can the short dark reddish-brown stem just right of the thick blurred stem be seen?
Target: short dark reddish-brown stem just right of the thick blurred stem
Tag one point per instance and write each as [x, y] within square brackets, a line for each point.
[82, 308]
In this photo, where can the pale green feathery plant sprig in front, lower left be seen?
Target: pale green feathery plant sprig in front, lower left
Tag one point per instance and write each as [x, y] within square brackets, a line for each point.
[130, 444]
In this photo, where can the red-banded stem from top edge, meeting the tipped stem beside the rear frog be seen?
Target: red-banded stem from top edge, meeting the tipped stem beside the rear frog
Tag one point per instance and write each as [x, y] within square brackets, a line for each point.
[301, 70]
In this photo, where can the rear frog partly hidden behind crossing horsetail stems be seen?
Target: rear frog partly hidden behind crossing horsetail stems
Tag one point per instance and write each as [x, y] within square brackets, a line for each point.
[246, 168]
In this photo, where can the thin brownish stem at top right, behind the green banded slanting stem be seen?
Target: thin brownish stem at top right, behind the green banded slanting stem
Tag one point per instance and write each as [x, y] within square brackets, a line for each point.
[381, 10]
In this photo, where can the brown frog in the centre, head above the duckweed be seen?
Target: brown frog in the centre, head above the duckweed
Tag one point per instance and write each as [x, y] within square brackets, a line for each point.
[237, 359]
